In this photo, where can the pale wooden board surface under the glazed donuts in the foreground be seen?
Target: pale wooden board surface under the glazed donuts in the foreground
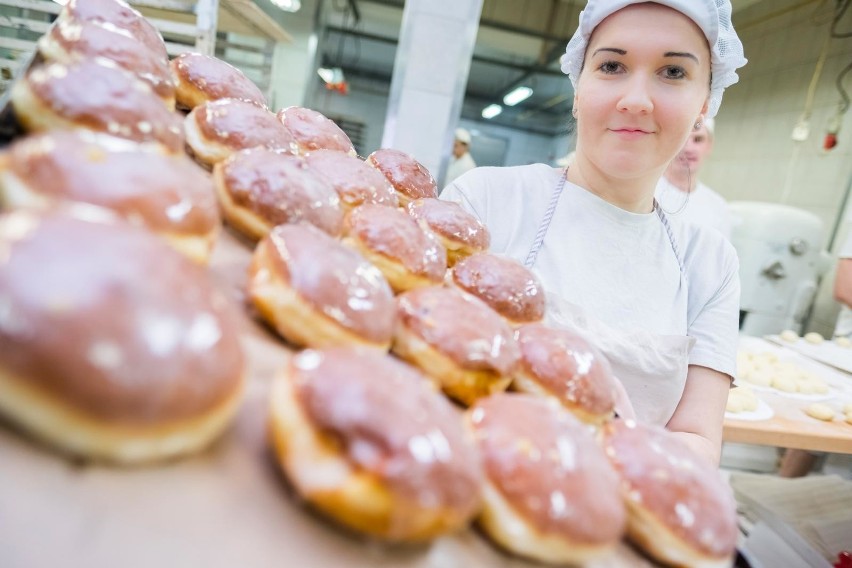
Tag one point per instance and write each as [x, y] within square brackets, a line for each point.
[227, 507]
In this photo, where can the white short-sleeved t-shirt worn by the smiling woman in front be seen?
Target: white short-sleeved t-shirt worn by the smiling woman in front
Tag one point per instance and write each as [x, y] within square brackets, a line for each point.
[617, 265]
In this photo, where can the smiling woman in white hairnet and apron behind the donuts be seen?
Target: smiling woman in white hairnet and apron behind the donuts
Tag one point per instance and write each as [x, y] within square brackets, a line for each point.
[659, 298]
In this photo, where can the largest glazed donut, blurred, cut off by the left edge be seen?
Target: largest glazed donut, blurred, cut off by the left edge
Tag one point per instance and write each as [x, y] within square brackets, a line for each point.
[126, 353]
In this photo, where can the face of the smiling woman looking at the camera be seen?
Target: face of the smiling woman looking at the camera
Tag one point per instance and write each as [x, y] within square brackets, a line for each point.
[645, 82]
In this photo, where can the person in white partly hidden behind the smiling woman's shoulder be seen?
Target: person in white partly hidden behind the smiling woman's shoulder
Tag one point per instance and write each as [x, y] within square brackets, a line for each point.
[683, 196]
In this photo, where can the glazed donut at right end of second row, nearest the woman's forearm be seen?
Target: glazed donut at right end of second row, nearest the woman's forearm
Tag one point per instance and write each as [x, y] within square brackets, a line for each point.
[561, 364]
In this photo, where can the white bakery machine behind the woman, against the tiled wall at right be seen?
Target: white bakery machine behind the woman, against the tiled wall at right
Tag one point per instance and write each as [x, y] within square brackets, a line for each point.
[781, 262]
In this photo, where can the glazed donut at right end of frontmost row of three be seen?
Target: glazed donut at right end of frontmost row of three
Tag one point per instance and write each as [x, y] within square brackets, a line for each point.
[680, 511]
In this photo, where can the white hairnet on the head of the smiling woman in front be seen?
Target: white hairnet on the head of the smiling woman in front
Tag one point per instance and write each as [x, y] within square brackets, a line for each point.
[712, 16]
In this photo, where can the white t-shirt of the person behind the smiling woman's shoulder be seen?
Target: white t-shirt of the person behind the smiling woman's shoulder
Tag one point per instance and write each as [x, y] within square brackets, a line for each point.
[702, 206]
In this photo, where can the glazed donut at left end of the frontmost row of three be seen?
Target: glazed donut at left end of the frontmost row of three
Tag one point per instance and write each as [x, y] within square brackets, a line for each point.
[366, 440]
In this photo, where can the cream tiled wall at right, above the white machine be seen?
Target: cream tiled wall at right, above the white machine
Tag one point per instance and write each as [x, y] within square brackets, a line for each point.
[754, 156]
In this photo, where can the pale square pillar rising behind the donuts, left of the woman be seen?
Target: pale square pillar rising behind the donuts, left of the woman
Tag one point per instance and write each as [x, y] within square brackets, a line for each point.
[429, 78]
